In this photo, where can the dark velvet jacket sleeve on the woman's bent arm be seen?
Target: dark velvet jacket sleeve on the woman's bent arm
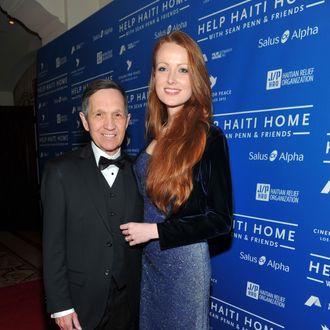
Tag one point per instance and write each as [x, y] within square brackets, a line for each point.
[208, 211]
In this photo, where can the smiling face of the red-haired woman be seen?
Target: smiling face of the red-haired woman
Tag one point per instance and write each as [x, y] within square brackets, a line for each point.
[172, 77]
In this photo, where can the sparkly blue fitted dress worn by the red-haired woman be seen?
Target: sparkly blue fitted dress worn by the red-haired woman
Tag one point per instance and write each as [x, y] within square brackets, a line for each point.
[175, 284]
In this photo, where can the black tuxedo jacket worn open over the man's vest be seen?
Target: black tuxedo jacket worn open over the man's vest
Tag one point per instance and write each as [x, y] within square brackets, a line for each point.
[77, 239]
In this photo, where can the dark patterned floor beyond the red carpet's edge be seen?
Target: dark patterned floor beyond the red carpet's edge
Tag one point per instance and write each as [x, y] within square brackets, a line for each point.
[20, 257]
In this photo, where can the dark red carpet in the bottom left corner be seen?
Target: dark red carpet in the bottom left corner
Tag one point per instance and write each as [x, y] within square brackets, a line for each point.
[22, 307]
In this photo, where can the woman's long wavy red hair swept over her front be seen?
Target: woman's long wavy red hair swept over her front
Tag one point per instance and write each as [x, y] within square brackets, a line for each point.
[169, 180]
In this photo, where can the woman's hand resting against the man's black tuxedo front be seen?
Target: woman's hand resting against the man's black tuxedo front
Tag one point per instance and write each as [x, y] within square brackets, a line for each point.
[137, 233]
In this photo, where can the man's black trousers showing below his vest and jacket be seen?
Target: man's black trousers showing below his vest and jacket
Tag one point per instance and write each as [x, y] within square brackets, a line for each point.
[117, 315]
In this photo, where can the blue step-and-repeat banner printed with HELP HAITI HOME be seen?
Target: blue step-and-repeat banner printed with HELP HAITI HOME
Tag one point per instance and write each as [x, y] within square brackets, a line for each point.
[269, 66]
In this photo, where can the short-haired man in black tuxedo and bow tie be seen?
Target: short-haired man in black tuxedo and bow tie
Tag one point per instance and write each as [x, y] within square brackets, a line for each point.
[91, 274]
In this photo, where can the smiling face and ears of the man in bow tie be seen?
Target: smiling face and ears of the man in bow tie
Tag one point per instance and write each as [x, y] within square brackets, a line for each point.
[107, 120]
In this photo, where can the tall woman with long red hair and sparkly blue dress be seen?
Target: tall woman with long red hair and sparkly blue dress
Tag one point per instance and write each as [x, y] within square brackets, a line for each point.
[184, 177]
